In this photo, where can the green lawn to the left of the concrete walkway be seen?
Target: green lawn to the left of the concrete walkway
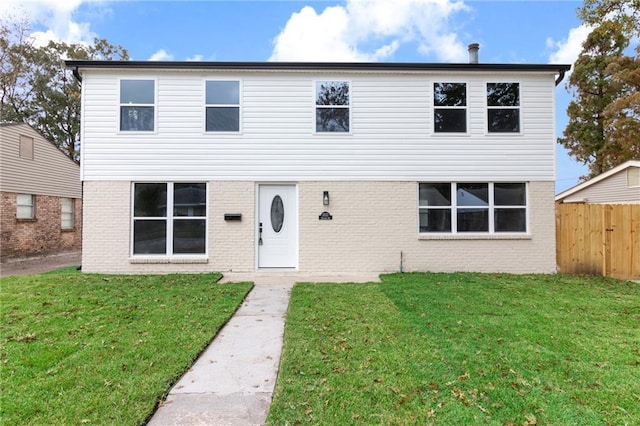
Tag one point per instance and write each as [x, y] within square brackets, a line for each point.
[102, 349]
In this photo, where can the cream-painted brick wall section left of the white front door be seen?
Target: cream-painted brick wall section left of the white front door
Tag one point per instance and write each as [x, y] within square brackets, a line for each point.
[107, 227]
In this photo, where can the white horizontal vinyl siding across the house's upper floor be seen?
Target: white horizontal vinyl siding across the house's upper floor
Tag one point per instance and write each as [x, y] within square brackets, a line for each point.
[391, 131]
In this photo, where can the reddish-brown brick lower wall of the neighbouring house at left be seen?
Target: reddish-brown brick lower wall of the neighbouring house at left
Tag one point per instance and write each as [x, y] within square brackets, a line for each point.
[42, 235]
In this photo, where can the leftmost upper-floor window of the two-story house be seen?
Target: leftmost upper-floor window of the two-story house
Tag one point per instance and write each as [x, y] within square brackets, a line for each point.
[137, 105]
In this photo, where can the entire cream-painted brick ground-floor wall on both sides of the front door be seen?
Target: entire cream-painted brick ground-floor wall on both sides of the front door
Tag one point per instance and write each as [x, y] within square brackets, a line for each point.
[372, 223]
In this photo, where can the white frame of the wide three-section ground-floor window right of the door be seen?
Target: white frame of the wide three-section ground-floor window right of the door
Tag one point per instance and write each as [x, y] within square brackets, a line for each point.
[491, 234]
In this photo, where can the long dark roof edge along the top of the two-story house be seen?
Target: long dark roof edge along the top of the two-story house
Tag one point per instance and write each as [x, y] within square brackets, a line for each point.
[293, 66]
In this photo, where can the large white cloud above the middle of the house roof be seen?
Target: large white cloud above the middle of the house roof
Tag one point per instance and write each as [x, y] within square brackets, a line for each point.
[370, 30]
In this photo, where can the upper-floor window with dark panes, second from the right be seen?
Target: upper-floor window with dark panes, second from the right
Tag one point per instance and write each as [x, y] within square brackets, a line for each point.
[450, 107]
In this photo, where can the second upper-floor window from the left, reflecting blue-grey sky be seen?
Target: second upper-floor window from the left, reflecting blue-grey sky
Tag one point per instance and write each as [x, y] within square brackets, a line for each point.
[222, 106]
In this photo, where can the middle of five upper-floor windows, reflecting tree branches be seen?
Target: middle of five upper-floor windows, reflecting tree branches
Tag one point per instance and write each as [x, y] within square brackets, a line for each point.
[332, 106]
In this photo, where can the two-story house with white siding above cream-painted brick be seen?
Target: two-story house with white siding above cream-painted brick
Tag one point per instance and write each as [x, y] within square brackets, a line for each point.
[317, 167]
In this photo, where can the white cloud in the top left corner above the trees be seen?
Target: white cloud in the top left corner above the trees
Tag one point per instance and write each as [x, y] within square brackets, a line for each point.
[56, 16]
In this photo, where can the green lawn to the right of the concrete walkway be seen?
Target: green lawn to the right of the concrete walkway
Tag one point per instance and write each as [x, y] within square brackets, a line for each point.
[462, 349]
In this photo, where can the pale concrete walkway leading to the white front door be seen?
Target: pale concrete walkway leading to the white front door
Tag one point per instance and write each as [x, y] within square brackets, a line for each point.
[233, 380]
